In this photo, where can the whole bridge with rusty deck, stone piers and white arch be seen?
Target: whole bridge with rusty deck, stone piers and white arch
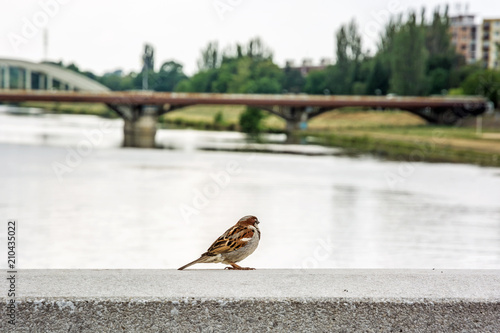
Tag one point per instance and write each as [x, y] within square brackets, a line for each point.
[141, 109]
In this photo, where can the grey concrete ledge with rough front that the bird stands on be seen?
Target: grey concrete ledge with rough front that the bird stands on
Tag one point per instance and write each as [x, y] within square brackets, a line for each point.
[255, 301]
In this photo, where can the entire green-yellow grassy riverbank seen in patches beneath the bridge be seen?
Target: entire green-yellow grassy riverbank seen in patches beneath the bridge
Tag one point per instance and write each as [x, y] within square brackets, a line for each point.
[394, 135]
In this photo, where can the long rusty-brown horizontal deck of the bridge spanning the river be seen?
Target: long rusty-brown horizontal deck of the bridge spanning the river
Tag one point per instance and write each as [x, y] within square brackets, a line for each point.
[179, 99]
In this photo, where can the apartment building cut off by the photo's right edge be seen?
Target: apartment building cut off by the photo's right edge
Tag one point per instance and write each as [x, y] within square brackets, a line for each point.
[490, 41]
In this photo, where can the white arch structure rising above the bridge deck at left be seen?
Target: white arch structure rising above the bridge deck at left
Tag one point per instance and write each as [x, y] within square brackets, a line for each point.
[20, 74]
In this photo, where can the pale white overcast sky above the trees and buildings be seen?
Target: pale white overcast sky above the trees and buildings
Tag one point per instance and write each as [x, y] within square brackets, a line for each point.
[105, 35]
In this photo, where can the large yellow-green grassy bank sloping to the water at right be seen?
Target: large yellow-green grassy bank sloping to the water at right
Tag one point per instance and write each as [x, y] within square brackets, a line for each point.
[398, 135]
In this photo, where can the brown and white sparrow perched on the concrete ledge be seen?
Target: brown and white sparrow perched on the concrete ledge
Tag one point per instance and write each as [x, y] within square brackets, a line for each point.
[237, 243]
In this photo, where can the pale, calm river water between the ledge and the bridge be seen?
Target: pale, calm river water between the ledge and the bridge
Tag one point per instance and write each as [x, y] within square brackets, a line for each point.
[81, 201]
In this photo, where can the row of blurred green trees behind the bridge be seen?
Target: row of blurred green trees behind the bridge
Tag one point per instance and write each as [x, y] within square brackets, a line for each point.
[414, 56]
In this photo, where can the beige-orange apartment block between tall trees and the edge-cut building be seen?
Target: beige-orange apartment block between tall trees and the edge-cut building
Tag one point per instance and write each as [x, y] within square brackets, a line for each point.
[465, 37]
